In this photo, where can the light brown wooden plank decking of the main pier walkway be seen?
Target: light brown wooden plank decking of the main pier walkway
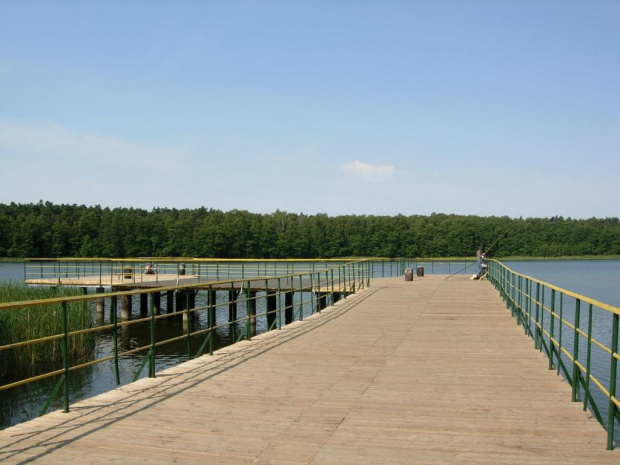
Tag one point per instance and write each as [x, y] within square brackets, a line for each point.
[429, 371]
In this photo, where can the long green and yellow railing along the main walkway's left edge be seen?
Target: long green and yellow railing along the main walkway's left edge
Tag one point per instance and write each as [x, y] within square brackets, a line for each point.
[285, 298]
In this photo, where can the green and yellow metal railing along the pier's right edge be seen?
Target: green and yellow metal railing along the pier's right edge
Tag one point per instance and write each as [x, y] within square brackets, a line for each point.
[569, 328]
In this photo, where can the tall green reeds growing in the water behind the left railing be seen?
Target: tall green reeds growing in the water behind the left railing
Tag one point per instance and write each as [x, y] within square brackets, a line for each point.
[18, 325]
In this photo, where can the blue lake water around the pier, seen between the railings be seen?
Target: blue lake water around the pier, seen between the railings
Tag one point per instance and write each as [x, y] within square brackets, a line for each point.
[598, 279]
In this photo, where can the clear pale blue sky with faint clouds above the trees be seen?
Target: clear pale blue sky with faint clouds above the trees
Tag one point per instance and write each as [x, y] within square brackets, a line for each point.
[340, 107]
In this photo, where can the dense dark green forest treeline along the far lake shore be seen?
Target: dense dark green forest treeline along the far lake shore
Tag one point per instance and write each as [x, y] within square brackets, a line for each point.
[48, 230]
